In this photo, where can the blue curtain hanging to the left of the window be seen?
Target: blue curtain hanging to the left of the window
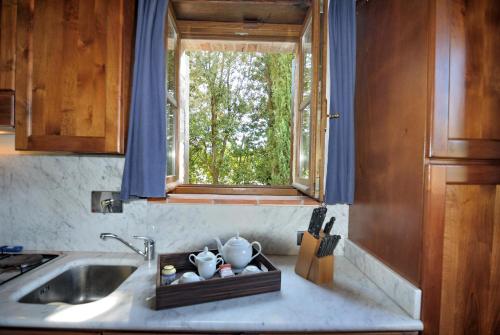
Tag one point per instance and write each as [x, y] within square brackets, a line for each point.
[145, 161]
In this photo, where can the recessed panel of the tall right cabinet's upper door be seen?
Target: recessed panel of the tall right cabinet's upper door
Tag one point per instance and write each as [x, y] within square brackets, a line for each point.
[475, 70]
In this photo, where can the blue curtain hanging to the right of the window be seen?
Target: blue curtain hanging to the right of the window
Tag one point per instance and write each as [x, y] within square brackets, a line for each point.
[341, 151]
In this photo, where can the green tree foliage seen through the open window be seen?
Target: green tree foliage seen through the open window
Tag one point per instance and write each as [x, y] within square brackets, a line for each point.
[240, 118]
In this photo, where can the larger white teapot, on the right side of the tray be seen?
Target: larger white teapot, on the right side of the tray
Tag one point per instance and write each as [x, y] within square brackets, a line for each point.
[237, 251]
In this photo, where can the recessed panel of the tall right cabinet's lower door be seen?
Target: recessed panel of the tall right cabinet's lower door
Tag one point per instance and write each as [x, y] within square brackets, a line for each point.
[470, 301]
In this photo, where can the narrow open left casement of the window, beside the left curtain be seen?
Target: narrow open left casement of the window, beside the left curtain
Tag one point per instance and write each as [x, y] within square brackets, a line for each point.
[173, 179]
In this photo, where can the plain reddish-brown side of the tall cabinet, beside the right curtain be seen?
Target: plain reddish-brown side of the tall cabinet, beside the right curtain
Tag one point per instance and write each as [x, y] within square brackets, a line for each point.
[390, 102]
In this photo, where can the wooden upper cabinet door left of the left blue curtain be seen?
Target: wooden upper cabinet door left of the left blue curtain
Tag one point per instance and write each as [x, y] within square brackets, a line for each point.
[73, 74]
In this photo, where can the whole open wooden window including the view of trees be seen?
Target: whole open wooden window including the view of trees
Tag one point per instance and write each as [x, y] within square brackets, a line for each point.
[214, 63]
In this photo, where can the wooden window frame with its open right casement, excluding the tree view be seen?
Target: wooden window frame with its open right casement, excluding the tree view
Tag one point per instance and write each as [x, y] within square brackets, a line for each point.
[312, 186]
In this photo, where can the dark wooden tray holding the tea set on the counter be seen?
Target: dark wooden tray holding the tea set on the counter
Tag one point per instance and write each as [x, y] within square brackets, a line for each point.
[216, 288]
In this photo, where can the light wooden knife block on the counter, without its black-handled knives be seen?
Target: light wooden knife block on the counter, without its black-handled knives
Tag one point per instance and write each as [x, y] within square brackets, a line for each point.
[316, 269]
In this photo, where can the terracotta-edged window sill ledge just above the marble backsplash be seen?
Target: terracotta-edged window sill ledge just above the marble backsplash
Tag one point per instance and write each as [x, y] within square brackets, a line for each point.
[246, 200]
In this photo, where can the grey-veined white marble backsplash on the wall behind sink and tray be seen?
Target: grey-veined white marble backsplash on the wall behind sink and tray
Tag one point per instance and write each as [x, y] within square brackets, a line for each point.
[45, 205]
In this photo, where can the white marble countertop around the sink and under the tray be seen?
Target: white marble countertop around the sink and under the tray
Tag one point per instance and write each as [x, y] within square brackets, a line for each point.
[353, 304]
